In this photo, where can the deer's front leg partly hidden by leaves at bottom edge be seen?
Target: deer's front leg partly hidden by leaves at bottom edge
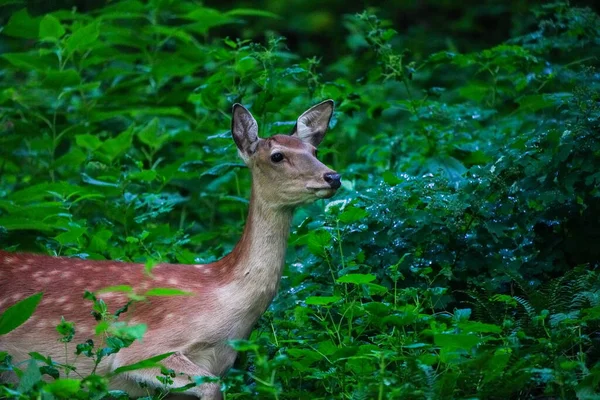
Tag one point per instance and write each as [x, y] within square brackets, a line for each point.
[179, 363]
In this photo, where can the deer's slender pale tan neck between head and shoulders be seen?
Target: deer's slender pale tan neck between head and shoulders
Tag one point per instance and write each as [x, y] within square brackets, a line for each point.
[259, 256]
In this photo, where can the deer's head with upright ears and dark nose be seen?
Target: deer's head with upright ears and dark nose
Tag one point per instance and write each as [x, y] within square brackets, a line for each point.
[285, 169]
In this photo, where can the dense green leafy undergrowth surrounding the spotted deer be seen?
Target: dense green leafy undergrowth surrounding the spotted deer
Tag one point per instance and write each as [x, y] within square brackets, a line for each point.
[459, 260]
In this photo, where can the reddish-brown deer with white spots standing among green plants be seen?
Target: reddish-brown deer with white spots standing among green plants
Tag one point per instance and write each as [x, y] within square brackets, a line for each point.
[228, 296]
